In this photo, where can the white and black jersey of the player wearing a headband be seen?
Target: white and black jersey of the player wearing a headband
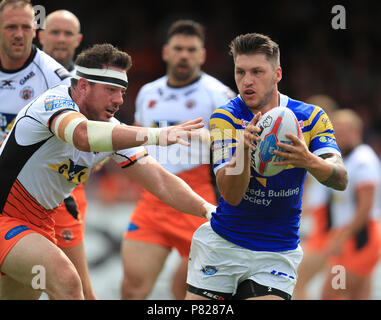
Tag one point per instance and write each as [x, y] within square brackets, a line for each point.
[46, 167]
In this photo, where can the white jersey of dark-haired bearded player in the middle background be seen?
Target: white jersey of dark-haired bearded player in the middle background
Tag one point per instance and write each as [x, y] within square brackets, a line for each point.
[160, 105]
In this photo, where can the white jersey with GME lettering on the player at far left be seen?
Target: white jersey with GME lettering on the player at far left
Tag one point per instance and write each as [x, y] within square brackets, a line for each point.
[19, 87]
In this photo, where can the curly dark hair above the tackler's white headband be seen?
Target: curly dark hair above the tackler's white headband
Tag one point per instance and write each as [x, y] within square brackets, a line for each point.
[100, 56]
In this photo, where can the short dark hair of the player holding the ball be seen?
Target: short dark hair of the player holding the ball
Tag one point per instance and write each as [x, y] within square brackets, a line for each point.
[252, 43]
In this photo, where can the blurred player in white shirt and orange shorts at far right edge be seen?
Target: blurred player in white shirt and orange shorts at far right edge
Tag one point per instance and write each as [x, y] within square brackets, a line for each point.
[346, 236]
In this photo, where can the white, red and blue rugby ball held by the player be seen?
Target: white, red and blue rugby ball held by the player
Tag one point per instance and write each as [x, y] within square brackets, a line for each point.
[274, 125]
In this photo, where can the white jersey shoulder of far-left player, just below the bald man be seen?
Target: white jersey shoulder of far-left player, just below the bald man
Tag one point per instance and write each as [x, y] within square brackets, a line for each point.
[50, 67]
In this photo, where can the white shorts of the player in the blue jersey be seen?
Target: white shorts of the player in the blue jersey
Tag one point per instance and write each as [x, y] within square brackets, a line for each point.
[219, 265]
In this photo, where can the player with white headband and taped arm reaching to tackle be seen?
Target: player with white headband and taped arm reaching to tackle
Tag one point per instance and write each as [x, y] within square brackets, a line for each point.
[55, 141]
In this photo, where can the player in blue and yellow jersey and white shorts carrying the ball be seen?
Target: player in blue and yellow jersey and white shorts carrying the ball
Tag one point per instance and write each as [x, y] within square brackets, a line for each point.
[250, 248]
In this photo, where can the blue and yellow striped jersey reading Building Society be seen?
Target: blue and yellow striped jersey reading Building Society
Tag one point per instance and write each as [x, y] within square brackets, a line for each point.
[268, 217]
